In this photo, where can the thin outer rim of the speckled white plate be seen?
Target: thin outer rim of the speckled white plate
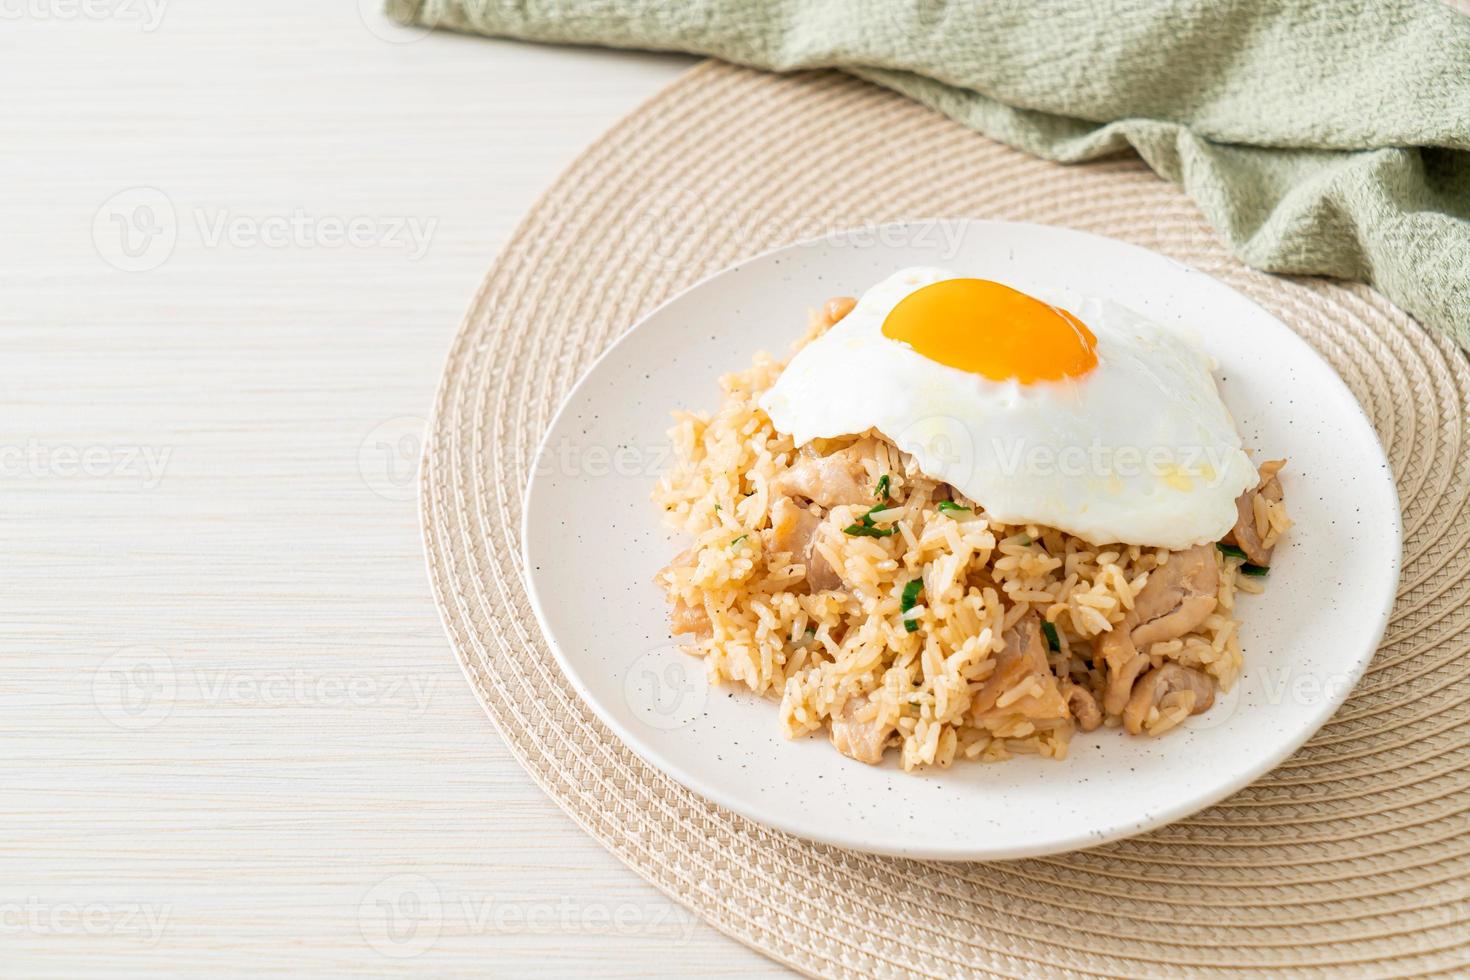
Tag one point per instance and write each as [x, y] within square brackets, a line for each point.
[1059, 844]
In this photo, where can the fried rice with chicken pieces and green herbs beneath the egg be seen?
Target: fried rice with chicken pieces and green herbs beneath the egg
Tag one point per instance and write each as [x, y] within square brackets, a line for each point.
[1002, 647]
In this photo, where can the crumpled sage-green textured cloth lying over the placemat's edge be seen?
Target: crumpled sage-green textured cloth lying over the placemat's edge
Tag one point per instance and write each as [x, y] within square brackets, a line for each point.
[1325, 139]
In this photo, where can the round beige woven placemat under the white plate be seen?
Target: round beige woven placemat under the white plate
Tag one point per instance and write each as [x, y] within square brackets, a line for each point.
[1349, 860]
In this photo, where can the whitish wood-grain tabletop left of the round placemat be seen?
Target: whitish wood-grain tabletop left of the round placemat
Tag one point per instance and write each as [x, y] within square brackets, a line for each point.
[237, 240]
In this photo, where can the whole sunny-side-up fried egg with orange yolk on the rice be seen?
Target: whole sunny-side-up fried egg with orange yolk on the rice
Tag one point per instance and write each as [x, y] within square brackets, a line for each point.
[1072, 412]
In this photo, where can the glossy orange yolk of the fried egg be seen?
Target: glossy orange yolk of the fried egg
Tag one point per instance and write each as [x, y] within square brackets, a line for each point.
[992, 330]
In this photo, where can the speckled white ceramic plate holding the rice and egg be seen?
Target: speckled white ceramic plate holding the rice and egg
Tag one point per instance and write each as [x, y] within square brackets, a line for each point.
[595, 541]
